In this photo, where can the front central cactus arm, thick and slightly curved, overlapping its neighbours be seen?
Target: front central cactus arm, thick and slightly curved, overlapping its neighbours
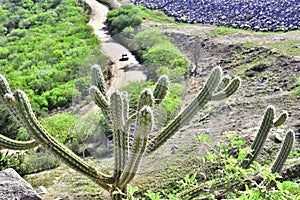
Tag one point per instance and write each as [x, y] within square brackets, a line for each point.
[144, 124]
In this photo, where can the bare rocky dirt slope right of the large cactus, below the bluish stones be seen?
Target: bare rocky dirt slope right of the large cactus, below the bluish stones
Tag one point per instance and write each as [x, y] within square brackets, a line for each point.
[267, 79]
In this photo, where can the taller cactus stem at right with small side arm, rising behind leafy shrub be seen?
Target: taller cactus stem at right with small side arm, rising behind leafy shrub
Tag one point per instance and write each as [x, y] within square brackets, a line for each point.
[260, 138]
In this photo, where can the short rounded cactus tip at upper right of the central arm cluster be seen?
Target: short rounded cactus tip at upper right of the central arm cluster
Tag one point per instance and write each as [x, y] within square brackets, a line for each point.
[161, 89]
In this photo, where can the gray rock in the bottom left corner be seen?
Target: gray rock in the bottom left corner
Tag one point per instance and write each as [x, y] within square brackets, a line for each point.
[13, 186]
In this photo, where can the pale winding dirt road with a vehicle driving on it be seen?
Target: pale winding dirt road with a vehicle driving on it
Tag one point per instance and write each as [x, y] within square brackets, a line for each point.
[112, 49]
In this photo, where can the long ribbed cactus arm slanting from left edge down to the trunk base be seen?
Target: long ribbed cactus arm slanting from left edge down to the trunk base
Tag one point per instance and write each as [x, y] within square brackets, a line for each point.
[20, 101]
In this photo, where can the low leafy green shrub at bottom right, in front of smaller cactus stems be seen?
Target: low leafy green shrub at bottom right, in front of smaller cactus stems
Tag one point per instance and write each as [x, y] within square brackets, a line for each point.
[227, 179]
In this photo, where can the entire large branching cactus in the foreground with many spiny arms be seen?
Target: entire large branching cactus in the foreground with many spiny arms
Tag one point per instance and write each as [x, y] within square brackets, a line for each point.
[115, 109]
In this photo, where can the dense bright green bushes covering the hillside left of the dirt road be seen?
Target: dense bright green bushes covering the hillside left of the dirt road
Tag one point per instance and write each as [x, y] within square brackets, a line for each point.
[43, 45]
